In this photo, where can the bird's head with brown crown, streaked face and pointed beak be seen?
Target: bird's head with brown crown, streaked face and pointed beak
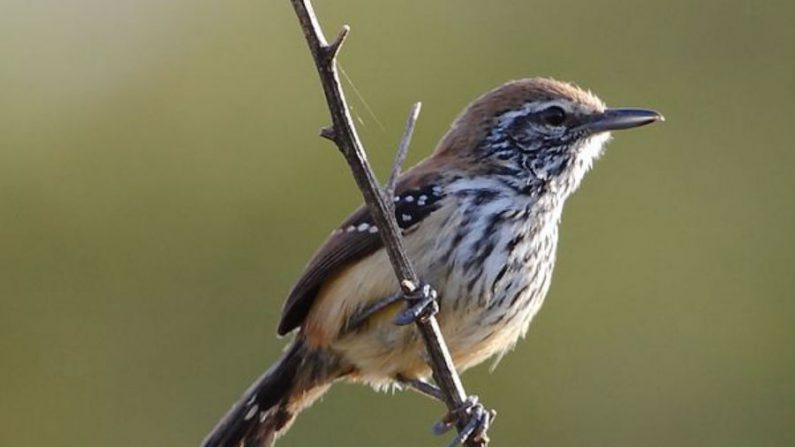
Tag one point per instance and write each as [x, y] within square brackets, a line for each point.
[539, 135]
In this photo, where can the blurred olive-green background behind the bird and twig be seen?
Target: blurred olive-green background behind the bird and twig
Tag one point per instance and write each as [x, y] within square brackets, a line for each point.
[162, 185]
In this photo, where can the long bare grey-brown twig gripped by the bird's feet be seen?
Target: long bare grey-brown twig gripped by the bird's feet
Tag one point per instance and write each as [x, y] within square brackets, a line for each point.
[347, 140]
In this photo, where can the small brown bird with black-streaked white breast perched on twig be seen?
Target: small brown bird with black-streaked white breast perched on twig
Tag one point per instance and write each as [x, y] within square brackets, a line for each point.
[480, 223]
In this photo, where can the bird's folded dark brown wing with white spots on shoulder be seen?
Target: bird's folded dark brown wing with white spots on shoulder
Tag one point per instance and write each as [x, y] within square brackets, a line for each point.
[418, 196]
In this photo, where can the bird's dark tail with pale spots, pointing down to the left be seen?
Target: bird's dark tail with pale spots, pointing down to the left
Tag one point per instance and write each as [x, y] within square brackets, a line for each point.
[267, 408]
